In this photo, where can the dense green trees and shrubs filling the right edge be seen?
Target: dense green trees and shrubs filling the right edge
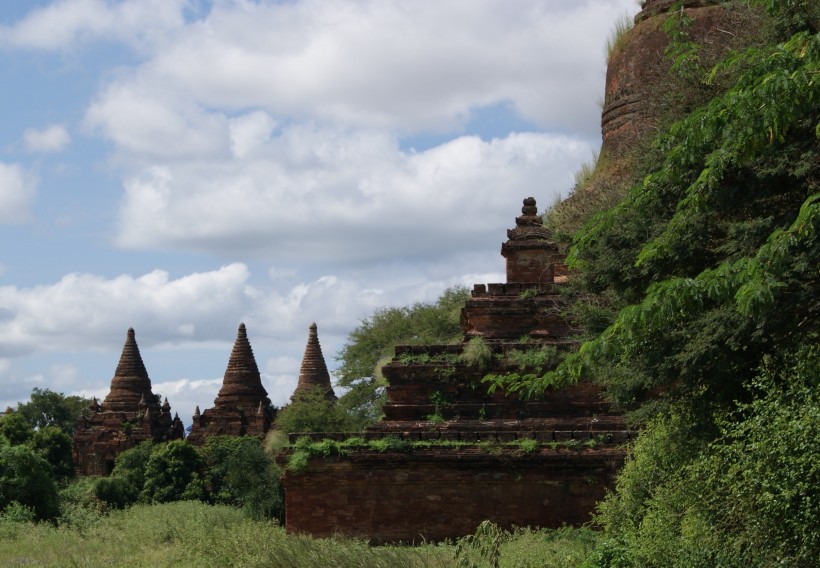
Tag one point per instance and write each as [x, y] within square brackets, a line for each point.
[710, 266]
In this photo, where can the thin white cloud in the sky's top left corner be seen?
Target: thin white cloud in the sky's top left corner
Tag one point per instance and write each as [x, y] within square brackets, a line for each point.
[66, 24]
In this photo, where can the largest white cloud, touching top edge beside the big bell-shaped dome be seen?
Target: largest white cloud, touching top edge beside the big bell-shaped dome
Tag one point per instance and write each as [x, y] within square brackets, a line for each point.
[405, 66]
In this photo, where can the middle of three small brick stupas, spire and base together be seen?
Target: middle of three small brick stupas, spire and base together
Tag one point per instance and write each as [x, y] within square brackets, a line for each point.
[242, 406]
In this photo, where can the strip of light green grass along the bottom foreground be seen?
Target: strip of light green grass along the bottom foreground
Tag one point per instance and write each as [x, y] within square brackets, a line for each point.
[191, 533]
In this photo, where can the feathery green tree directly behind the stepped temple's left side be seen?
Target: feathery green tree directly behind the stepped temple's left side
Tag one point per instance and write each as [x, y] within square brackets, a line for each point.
[371, 345]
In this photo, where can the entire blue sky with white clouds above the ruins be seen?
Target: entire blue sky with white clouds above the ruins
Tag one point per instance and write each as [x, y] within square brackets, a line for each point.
[182, 166]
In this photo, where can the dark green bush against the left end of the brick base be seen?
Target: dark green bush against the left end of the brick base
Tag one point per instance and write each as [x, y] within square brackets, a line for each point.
[240, 473]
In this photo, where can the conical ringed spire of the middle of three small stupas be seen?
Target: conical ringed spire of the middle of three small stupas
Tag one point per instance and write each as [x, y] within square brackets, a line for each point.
[242, 385]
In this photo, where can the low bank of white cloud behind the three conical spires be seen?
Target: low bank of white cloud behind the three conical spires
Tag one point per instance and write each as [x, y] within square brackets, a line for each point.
[185, 326]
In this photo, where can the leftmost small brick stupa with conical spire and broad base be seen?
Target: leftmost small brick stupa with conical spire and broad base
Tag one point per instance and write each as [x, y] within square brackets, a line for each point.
[129, 415]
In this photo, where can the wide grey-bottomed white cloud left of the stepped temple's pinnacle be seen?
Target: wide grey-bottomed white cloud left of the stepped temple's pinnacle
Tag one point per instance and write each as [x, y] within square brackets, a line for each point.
[338, 196]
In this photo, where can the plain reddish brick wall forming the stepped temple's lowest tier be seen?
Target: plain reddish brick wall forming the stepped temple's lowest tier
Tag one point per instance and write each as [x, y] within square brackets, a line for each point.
[439, 494]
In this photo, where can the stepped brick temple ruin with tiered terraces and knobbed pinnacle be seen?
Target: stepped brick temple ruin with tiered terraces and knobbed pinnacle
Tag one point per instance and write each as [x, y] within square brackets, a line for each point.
[463, 458]
